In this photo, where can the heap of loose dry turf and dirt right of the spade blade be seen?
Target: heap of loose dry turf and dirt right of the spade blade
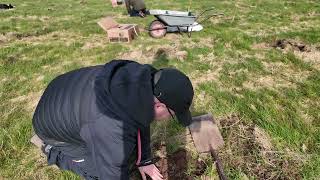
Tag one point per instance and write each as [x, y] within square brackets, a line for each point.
[248, 148]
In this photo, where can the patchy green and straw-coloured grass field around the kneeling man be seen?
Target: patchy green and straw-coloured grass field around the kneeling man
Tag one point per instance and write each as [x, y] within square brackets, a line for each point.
[256, 69]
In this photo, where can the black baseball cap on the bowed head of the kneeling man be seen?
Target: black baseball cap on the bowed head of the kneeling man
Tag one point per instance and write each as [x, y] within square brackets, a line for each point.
[174, 89]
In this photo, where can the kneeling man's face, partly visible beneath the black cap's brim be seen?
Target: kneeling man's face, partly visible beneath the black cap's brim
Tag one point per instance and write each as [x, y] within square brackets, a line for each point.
[161, 111]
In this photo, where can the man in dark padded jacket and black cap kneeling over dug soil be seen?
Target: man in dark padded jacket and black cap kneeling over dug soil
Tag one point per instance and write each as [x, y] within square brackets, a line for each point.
[92, 119]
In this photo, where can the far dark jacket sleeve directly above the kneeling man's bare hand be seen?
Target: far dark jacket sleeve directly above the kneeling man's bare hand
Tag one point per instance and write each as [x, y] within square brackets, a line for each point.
[145, 144]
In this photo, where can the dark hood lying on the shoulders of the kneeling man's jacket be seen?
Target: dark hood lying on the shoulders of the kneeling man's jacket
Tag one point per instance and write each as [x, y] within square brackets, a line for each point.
[124, 91]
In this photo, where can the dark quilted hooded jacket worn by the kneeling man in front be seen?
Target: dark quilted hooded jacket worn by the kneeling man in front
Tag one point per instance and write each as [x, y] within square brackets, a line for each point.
[100, 109]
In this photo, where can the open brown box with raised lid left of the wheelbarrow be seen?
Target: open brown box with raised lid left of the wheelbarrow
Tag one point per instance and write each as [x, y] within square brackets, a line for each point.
[118, 32]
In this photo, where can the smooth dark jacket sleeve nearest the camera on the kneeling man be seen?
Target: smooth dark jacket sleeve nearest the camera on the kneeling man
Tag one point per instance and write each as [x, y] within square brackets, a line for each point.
[108, 150]
